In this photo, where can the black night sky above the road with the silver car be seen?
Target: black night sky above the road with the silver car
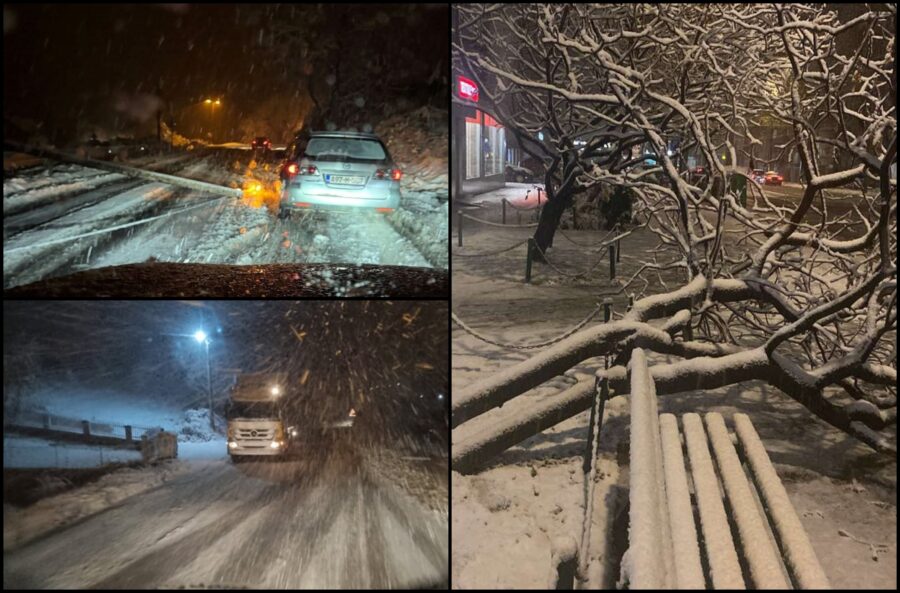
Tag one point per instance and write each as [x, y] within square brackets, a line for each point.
[65, 65]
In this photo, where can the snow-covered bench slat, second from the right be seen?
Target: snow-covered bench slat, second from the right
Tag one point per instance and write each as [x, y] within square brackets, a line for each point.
[757, 544]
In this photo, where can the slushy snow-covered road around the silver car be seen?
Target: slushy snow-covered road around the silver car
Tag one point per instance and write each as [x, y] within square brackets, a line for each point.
[66, 218]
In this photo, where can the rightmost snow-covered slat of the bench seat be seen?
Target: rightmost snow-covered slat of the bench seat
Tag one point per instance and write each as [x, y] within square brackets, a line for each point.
[797, 550]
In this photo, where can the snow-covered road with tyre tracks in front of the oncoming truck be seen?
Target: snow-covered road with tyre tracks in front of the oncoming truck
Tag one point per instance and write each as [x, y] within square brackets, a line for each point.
[331, 522]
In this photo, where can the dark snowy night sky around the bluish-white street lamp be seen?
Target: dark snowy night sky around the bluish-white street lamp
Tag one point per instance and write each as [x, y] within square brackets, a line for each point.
[387, 358]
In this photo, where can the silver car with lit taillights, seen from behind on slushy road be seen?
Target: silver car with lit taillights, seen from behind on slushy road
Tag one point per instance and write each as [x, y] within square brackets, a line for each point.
[341, 171]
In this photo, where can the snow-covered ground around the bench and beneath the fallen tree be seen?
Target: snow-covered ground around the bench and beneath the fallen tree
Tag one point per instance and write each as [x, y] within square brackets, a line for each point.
[505, 517]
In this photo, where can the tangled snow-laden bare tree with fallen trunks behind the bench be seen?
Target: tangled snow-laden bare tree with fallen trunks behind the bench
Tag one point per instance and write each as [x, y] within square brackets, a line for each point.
[802, 294]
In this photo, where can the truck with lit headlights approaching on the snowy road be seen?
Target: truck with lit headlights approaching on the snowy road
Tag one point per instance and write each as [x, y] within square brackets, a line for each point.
[256, 417]
